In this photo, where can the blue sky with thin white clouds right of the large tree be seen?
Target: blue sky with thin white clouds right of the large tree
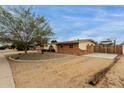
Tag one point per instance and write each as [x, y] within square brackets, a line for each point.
[79, 22]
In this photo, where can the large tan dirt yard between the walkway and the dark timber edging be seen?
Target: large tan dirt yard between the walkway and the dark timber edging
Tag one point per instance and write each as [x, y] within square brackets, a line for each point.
[72, 71]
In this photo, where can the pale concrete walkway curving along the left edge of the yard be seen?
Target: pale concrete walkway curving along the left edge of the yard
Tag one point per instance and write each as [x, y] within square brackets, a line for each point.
[6, 79]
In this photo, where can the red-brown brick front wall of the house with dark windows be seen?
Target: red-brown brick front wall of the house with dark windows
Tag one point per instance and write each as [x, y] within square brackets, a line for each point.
[68, 49]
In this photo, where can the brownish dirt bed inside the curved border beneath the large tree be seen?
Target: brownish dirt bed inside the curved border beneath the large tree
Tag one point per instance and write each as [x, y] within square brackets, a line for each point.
[36, 56]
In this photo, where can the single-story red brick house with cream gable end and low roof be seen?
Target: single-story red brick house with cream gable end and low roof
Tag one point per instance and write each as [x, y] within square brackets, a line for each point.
[76, 47]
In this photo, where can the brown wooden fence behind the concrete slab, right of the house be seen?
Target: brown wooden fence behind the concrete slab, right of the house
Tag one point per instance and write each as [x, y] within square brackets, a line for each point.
[117, 49]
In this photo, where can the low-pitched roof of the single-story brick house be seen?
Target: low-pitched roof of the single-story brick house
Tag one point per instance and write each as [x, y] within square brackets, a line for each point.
[76, 41]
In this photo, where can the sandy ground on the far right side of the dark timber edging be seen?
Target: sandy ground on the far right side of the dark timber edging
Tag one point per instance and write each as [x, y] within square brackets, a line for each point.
[115, 77]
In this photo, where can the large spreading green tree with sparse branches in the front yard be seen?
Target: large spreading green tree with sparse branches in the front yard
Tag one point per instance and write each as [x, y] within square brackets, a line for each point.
[22, 26]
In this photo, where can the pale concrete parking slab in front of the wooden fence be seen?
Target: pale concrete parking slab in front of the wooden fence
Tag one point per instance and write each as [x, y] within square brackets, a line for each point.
[102, 55]
